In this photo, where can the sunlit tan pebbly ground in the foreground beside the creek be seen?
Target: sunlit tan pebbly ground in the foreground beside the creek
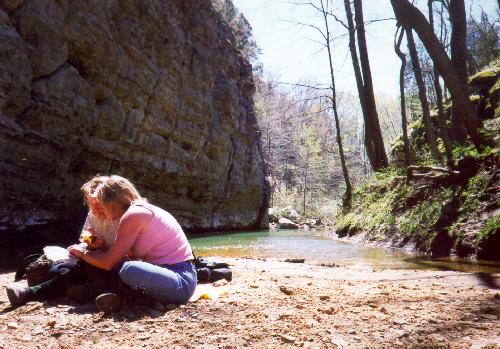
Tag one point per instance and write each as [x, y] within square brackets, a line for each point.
[282, 305]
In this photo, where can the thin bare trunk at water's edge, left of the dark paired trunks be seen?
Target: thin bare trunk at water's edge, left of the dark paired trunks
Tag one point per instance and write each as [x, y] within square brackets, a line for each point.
[348, 186]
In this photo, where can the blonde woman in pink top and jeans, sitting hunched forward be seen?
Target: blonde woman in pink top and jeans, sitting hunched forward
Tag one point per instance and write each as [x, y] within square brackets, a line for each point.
[159, 257]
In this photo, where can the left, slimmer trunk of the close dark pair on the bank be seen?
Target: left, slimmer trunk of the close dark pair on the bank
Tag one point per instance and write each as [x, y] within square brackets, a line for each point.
[368, 140]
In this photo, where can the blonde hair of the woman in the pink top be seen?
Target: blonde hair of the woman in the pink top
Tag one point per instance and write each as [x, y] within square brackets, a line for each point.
[116, 189]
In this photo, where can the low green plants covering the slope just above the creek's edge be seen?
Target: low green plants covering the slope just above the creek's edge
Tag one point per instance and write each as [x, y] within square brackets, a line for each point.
[387, 205]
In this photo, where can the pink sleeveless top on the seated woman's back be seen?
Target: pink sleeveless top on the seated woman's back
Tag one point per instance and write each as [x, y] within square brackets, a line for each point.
[162, 240]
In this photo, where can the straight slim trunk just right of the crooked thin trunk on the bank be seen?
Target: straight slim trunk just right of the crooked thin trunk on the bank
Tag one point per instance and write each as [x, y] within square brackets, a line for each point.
[422, 94]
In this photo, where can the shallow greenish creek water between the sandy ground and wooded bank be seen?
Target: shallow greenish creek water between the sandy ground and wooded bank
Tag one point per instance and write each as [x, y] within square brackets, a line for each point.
[316, 247]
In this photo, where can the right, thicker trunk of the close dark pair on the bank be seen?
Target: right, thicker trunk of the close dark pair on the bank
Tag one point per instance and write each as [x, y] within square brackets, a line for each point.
[369, 98]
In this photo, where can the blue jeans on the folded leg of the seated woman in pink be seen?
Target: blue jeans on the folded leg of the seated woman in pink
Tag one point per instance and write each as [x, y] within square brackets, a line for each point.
[165, 283]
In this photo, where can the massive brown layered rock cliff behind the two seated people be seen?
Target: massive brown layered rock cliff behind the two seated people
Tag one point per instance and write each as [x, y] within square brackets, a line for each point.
[152, 90]
